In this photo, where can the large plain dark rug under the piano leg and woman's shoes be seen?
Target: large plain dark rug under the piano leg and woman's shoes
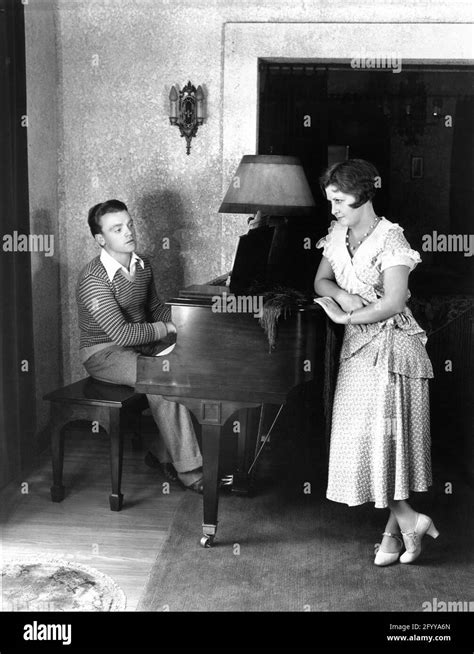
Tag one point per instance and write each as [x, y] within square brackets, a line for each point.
[286, 551]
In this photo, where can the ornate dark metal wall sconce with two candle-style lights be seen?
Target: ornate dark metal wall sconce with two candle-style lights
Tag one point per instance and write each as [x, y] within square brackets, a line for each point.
[187, 111]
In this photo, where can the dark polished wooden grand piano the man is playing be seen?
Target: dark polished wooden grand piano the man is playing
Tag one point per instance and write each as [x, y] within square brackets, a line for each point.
[221, 366]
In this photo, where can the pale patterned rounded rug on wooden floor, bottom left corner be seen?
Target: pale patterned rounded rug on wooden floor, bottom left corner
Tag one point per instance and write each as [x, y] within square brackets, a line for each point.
[42, 584]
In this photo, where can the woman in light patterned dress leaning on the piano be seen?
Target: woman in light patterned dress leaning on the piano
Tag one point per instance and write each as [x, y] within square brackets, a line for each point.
[380, 440]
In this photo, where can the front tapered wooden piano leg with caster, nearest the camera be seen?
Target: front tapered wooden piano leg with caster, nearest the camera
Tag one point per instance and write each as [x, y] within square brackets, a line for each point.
[211, 435]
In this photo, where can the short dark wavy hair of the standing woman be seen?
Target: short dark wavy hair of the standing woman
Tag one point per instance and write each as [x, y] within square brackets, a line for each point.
[354, 176]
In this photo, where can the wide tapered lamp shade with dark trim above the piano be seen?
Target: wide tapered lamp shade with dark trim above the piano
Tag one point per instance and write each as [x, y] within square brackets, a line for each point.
[274, 184]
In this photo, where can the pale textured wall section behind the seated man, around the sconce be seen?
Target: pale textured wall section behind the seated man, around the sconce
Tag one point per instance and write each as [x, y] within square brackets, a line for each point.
[118, 62]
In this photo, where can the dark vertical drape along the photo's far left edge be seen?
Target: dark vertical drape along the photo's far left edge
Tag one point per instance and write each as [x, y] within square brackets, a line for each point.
[17, 392]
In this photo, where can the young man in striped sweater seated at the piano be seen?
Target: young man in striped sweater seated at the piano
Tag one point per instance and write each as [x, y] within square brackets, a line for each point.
[119, 311]
